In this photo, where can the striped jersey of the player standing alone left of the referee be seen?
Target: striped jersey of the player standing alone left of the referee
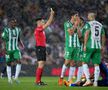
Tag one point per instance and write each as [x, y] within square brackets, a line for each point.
[11, 36]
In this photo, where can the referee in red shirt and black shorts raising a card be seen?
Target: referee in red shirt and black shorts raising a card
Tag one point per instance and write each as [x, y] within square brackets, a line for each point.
[40, 38]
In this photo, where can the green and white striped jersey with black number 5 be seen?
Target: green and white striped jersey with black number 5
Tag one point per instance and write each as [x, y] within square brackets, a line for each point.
[96, 32]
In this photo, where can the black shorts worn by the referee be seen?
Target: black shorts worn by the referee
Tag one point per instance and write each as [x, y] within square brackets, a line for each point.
[41, 53]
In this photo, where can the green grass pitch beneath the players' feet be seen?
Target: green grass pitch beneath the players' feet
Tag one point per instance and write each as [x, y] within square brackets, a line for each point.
[27, 83]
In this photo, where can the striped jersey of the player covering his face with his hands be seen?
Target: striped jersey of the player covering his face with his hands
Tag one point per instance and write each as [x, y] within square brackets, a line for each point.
[70, 40]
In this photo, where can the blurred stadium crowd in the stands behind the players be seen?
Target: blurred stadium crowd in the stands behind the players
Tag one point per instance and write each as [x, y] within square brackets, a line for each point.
[25, 11]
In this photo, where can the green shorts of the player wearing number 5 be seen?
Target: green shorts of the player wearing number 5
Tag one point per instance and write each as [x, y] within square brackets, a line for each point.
[92, 54]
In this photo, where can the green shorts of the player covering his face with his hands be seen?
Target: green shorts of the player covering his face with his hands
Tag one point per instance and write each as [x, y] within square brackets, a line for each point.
[72, 53]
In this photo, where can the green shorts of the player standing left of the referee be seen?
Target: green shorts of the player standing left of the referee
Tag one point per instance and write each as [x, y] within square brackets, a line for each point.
[13, 55]
